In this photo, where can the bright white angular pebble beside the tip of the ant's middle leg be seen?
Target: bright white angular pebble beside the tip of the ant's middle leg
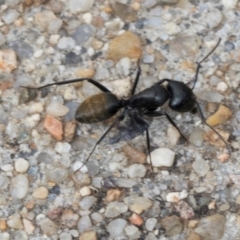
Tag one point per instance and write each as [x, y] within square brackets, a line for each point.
[162, 157]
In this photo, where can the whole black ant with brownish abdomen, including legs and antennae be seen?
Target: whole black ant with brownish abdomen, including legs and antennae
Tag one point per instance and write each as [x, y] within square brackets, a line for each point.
[104, 105]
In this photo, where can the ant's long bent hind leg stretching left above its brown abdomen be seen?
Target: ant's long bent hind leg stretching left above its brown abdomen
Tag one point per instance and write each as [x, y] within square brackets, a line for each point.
[95, 83]
